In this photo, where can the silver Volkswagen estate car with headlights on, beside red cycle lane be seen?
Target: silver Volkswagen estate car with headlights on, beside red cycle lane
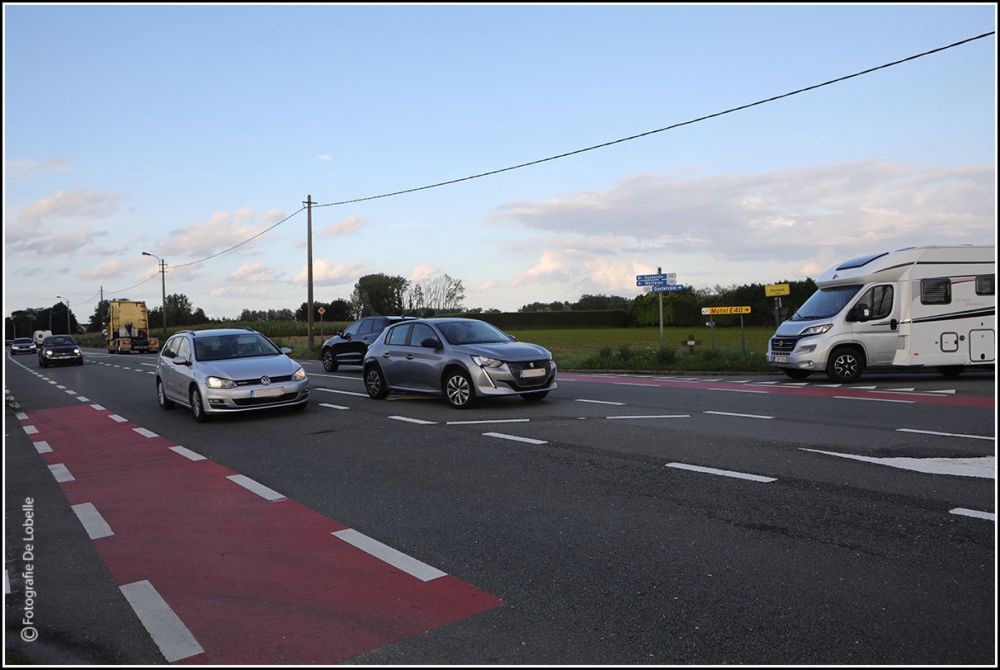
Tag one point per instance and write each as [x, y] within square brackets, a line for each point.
[227, 370]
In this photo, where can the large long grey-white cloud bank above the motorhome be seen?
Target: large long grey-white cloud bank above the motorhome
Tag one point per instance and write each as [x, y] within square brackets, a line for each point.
[785, 215]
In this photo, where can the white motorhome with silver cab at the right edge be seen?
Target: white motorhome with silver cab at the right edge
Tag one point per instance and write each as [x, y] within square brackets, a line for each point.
[916, 307]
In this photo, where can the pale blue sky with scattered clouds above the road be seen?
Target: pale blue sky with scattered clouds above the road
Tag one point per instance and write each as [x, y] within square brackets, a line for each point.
[184, 130]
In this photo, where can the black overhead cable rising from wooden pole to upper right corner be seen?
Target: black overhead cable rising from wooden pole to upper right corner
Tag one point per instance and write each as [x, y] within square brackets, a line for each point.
[661, 130]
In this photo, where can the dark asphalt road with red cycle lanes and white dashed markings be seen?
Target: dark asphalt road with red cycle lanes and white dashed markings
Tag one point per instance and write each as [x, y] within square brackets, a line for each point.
[623, 520]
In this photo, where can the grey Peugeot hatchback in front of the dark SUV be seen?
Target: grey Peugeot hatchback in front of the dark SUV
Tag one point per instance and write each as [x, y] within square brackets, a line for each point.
[464, 359]
